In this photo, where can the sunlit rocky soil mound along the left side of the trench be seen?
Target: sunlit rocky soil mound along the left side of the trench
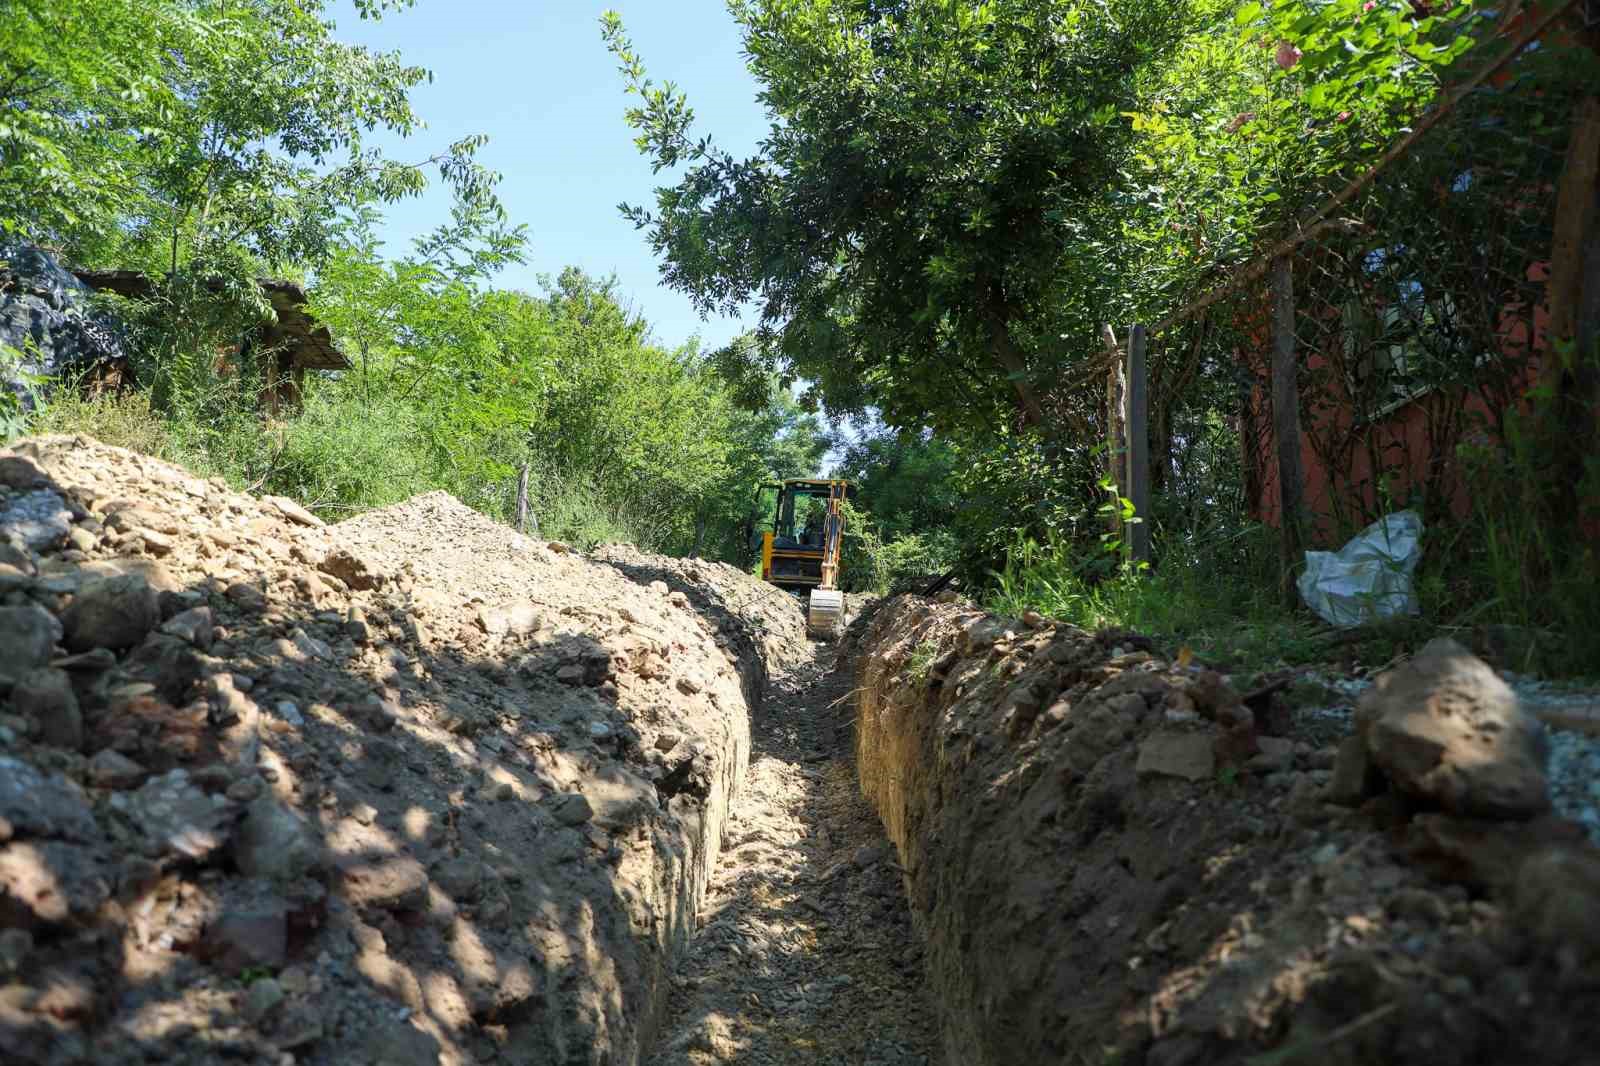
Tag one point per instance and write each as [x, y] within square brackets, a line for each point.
[406, 790]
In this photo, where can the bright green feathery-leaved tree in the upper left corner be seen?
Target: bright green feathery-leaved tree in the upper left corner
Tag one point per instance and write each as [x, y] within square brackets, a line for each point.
[206, 143]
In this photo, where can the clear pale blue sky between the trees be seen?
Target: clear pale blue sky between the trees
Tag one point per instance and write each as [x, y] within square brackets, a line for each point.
[538, 81]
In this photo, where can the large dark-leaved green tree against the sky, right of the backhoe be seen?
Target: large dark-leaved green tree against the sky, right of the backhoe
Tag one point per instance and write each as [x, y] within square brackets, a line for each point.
[932, 188]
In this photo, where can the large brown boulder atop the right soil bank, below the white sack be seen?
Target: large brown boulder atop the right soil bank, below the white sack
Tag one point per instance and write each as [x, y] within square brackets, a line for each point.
[1449, 732]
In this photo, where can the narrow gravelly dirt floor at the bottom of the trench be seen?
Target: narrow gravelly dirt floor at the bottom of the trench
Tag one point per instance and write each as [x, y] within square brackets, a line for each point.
[806, 952]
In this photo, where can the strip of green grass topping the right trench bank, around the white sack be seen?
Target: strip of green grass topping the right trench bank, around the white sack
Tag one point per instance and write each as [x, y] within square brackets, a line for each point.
[1502, 580]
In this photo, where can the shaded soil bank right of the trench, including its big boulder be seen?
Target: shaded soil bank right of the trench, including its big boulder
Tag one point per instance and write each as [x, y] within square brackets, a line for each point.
[1118, 859]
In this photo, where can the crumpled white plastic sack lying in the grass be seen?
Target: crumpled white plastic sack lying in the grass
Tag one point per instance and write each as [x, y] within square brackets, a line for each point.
[1370, 577]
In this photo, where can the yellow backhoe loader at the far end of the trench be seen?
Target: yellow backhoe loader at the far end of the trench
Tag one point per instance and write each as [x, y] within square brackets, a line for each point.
[802, 550]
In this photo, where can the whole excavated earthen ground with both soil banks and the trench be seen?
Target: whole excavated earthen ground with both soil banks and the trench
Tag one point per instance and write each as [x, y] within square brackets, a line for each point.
[417, 790]
